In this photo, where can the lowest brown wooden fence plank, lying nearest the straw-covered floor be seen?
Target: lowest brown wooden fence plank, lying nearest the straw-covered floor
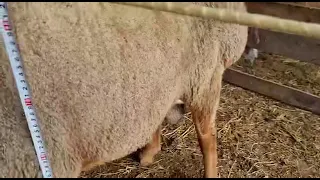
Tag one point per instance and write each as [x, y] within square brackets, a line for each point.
[285, 94]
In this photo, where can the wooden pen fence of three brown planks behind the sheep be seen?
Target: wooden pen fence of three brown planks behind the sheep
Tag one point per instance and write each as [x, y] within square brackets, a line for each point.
[292, 46]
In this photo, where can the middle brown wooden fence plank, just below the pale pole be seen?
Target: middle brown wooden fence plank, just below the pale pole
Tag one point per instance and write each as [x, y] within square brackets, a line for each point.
[288, 45]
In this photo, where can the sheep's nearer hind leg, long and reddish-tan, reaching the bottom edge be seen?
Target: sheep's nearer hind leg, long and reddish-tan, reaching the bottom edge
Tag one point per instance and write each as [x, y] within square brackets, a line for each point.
[203, 111]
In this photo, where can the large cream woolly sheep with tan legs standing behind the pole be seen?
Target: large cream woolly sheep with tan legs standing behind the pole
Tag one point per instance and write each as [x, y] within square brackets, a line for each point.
[103, 77]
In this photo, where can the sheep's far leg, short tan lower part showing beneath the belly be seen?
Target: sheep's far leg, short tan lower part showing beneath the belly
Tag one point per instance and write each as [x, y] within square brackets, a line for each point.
[151, 149]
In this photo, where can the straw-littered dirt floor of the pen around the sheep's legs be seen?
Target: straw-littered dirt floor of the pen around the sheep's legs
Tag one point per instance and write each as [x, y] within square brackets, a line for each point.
[257, 136]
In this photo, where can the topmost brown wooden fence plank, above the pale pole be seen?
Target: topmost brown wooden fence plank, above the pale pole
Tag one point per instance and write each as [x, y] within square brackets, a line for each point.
[285, 10]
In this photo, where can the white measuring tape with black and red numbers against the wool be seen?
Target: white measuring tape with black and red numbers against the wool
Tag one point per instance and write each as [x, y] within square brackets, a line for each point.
[23, 89]
